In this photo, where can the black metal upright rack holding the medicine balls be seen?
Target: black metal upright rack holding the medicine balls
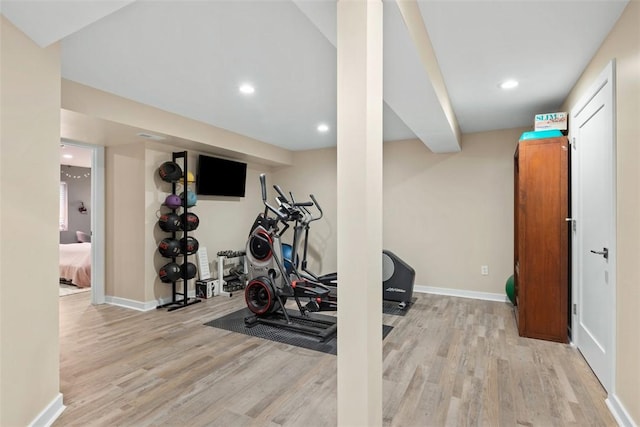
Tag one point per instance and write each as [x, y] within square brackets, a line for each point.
[180, 299]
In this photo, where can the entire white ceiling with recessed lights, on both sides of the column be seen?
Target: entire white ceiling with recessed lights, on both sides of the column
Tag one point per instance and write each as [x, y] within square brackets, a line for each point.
[189, 57]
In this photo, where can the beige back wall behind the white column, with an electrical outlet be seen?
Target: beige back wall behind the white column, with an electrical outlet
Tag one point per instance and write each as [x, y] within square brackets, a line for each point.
[444, 214]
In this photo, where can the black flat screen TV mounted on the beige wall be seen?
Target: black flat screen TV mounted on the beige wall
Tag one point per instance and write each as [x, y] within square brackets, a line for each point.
[220, 177]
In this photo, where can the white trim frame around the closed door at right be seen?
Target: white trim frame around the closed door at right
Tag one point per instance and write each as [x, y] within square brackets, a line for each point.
[606, 76]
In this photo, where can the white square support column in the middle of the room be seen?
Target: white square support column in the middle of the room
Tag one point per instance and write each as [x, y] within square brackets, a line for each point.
[359, 192]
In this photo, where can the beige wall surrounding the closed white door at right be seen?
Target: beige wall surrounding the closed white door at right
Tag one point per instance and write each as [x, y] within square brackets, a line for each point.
[623, 44]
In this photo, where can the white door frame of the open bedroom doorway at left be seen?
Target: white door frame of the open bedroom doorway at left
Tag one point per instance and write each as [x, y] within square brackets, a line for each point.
[97, 214]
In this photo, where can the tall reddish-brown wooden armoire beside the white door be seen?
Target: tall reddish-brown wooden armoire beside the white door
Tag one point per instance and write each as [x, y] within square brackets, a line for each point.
[541, 246]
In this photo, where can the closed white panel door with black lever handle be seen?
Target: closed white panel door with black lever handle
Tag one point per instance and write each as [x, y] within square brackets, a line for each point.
[593, 138]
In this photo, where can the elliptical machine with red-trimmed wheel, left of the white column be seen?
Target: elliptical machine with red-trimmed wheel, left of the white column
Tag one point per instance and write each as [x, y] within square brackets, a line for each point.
[270, 284]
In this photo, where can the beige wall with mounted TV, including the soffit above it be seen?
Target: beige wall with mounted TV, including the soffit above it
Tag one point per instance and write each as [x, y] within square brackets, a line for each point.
[134, 192]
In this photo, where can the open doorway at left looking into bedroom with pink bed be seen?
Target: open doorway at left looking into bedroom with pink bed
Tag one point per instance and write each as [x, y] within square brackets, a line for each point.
[85, 162]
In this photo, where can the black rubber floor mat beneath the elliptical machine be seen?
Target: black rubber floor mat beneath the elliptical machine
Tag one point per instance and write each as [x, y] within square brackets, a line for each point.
[235, 322]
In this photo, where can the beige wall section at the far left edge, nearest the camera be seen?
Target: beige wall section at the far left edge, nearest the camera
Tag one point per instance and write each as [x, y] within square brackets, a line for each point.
[29, 176]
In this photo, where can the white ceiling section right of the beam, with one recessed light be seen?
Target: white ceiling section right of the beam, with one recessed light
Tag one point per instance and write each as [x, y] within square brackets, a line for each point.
[544, 44]
